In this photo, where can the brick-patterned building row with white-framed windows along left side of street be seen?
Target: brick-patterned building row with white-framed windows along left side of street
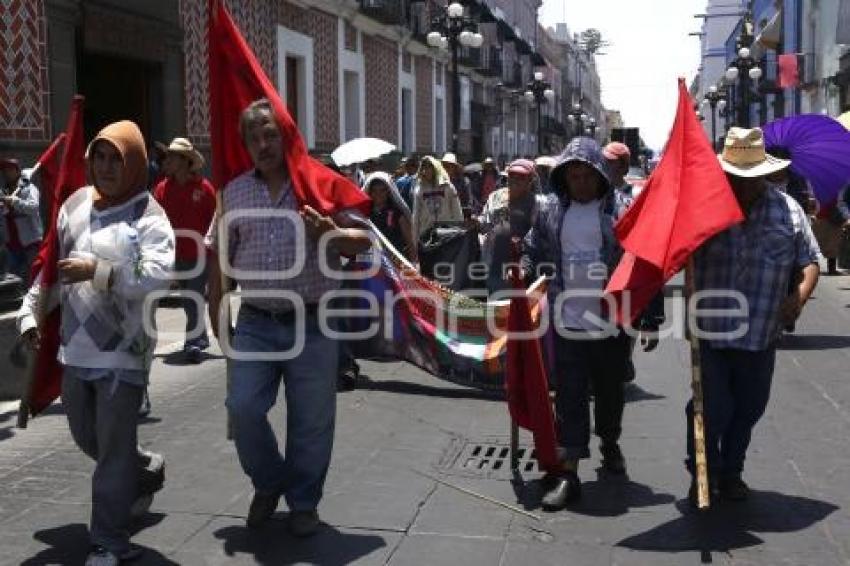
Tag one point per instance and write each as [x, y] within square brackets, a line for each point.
[347, 68]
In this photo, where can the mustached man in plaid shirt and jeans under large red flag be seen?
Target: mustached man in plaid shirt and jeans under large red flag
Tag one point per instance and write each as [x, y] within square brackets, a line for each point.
[272, 245]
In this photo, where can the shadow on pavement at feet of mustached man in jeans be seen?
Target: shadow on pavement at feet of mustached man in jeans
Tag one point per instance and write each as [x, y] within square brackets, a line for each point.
[272, 545]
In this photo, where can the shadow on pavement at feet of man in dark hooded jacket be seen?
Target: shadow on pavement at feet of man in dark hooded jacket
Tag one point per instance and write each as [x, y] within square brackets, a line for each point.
[606, 496]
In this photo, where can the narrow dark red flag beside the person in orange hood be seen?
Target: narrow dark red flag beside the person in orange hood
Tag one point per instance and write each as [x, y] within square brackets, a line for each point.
[47, 374]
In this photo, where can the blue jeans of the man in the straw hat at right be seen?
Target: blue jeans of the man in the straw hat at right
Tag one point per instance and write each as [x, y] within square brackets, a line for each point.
[736, 389]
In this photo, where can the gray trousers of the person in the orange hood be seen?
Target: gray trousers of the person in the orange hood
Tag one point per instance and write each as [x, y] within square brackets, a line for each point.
[103, 424]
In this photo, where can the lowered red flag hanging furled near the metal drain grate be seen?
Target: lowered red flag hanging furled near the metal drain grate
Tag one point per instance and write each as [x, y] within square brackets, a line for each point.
[526, 384]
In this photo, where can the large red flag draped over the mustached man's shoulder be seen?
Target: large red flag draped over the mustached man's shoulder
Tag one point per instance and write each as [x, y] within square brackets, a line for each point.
[236, 80]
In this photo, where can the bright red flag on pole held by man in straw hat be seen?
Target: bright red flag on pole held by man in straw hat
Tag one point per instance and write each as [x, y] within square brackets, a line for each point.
[686, 201]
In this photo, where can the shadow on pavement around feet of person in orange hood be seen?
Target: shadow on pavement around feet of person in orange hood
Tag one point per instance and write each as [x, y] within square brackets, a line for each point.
[69, 544]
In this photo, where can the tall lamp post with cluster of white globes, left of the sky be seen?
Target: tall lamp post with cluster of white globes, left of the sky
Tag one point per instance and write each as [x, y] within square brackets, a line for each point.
[451, 30]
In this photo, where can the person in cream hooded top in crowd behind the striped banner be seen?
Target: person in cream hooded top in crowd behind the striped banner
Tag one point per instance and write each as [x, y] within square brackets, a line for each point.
[435, 198]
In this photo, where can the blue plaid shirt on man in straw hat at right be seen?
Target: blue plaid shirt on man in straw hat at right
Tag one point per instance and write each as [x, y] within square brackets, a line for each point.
[757, 259]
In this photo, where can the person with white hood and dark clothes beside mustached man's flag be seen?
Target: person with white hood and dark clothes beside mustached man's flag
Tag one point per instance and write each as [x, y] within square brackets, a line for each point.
[390, 214]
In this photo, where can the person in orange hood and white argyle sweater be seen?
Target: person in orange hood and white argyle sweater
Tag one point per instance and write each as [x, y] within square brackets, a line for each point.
[116, 247]
